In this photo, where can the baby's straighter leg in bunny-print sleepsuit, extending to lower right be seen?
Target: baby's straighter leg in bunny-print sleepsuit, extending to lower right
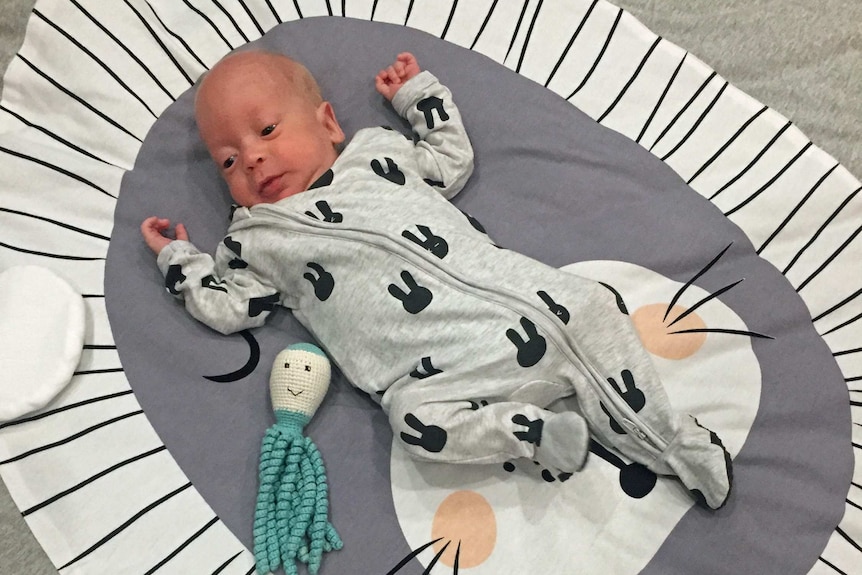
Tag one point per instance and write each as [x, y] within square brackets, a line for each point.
[622, 397]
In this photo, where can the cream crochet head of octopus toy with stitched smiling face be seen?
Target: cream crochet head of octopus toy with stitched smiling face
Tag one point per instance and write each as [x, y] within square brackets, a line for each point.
[299, 379]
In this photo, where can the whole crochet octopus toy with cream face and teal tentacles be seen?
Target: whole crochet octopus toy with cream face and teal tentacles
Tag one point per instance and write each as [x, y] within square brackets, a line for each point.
[291, 516]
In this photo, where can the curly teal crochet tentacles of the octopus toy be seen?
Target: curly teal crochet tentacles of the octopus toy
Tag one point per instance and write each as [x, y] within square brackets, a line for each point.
[291, 517]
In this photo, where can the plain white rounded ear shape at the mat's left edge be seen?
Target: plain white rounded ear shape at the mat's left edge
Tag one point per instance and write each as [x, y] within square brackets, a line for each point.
[41, 338]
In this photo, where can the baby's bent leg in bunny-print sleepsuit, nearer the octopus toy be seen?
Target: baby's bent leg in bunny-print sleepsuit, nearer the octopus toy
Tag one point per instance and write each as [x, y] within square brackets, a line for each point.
[472, 430]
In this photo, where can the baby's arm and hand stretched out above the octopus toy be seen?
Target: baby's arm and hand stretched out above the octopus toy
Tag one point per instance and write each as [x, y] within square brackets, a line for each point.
[227, 298]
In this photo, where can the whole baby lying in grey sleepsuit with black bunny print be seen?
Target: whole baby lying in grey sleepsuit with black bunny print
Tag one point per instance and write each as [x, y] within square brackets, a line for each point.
[464, 344]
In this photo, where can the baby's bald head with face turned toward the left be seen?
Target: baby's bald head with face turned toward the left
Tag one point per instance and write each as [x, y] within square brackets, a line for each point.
[266, 125]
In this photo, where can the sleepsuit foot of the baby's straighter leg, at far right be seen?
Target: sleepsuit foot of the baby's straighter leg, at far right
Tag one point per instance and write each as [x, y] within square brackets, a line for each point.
[697, 456]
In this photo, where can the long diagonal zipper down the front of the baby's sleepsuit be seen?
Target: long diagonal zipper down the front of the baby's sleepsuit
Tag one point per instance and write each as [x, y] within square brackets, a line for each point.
[624, 414]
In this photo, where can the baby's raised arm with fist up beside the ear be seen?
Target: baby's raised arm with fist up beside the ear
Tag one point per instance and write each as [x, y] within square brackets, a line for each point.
[444, 152]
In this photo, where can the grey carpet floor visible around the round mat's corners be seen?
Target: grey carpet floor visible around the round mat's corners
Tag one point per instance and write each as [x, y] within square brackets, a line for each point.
[801, 58]
